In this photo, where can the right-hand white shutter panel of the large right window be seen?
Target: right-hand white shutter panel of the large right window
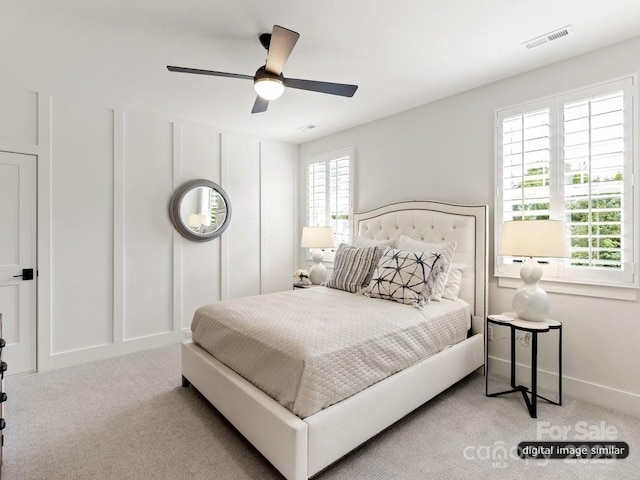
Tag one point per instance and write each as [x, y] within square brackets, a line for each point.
[593, 148]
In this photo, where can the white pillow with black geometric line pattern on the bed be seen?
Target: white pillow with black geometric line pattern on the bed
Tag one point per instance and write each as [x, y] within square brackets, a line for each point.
[404, 277]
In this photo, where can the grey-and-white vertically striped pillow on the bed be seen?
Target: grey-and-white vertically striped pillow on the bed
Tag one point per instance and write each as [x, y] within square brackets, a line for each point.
[353, 267]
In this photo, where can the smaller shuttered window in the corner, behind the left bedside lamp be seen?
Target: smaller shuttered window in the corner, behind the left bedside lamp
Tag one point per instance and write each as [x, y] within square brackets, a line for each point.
[329, 190]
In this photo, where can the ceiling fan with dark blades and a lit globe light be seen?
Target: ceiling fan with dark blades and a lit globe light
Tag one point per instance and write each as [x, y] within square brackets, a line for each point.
[268, 81]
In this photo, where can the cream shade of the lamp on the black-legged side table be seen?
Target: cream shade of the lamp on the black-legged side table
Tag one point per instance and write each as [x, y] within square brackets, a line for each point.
[534, 238]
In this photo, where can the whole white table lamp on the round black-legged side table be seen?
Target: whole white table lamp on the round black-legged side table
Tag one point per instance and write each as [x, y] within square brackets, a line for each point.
[533, 238]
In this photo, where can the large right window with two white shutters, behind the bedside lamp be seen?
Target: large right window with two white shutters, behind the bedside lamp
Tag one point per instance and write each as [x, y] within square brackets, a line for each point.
[571, 158]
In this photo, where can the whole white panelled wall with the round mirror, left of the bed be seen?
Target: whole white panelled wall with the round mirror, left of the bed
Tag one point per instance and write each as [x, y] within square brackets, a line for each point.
[115, 276]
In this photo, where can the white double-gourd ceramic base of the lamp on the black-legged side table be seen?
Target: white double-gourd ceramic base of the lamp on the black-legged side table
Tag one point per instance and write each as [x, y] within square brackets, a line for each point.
[531, 301]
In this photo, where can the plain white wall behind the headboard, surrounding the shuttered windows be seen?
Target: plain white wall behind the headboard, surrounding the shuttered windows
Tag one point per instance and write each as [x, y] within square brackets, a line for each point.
[445, 151]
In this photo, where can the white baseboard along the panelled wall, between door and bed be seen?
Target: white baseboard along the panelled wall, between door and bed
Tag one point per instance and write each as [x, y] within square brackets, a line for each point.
[101, 352]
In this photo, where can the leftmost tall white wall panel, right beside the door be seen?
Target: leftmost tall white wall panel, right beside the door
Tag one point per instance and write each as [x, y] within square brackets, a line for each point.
[82, 224]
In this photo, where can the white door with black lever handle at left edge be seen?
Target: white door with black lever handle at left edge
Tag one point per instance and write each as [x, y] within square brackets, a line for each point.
[18, 252]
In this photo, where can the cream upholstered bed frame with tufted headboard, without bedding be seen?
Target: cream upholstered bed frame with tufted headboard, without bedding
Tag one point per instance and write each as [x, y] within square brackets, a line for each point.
[300, 448]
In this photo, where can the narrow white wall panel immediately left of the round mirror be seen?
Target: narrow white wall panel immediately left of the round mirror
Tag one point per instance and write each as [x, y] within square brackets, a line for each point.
[147, 242]
